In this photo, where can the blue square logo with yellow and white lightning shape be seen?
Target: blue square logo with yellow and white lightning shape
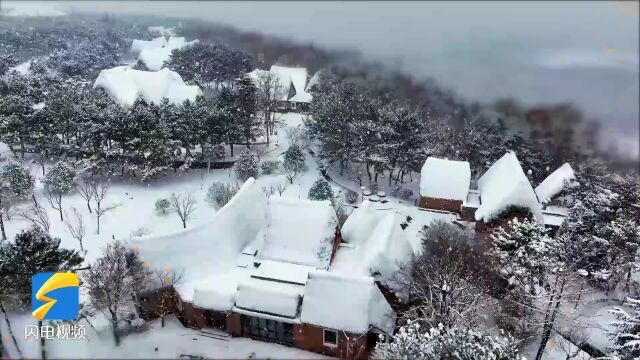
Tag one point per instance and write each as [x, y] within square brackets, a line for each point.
[55, 296]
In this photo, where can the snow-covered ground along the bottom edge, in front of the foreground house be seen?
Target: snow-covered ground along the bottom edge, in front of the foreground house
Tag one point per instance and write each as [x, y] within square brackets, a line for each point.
[169, 342]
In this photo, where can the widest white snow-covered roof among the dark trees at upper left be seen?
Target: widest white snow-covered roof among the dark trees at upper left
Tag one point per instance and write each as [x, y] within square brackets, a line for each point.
[124, 85]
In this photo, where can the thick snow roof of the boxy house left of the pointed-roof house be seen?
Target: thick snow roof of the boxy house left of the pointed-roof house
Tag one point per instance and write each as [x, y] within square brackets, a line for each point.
[445, 179]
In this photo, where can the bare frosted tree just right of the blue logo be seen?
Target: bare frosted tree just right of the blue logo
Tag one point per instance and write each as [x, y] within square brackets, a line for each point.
[114, 281]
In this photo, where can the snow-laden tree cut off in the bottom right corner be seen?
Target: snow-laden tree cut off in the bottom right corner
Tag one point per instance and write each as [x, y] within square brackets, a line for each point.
[626, 334]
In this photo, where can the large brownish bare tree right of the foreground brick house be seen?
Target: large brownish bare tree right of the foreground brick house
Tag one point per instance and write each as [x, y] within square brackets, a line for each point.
[446, 283]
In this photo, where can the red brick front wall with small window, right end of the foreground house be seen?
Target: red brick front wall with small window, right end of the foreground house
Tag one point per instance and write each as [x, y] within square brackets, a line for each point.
[311, 338]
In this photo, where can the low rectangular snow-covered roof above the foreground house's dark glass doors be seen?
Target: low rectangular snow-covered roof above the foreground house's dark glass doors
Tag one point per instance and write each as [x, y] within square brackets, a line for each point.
[270, 297]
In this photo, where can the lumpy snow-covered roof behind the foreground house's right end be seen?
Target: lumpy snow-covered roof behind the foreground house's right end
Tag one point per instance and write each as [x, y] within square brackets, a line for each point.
[378, 244]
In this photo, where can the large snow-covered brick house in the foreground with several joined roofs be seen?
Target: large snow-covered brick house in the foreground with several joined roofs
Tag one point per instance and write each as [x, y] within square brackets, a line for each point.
[255, 272]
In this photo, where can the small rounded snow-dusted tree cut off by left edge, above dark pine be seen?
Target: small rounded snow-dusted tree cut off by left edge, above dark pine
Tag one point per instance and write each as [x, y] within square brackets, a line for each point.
[15, 183]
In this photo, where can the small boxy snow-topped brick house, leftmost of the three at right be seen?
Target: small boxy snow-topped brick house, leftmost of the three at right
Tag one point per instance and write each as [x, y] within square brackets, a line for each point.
[444, 184]
